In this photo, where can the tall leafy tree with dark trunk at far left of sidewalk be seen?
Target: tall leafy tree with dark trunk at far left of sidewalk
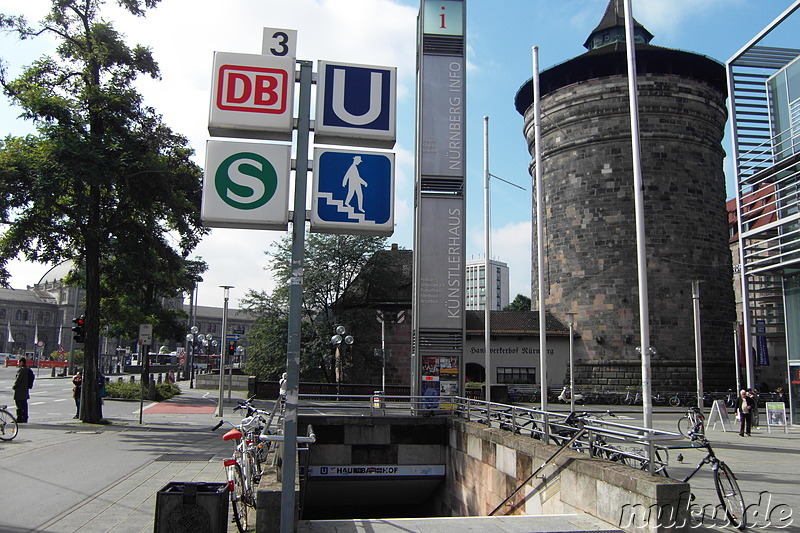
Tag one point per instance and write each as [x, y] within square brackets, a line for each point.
[104, 175]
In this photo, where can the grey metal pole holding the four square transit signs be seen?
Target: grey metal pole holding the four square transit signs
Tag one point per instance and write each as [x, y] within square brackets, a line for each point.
[295, 302]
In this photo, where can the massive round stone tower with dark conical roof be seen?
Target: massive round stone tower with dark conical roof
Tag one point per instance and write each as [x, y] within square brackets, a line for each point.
[590, 232]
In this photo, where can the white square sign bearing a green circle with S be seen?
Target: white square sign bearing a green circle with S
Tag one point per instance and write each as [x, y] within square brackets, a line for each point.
[246, 185]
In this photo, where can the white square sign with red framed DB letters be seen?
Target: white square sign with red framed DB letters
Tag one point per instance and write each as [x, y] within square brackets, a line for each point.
[252, 96]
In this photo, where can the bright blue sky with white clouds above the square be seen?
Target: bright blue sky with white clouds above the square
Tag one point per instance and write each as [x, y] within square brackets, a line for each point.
[183, 35]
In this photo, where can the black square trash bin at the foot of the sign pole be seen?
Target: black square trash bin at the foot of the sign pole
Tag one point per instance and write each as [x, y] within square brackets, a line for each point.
[192, 507]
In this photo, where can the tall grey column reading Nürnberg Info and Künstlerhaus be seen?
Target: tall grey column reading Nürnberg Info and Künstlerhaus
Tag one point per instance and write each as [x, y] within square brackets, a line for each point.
[439, 209]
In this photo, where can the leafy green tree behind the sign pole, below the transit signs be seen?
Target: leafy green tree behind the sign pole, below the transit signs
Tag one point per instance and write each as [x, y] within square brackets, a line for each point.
[331, 263]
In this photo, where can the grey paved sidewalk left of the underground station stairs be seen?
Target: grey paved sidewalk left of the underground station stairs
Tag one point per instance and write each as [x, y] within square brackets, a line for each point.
[131, 462]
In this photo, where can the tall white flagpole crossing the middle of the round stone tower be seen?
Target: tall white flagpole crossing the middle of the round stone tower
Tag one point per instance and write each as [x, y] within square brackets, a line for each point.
[641, 249]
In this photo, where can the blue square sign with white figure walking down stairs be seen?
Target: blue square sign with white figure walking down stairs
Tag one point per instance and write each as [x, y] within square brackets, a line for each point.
[353, 192]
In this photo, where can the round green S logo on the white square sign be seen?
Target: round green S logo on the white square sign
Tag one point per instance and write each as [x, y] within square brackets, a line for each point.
[246, 180]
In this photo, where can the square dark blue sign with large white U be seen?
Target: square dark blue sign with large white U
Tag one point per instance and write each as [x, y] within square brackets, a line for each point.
[356, 105]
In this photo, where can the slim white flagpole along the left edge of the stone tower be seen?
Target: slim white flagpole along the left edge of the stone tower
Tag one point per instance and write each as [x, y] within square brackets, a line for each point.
[537, 135]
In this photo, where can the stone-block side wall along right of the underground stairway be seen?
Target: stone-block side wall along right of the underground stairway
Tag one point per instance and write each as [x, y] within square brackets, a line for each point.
[485, 465]
